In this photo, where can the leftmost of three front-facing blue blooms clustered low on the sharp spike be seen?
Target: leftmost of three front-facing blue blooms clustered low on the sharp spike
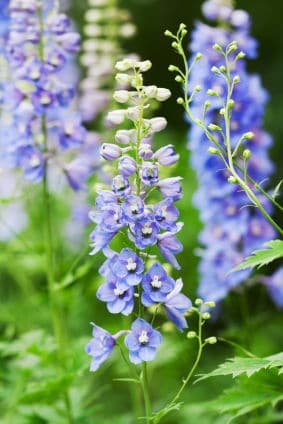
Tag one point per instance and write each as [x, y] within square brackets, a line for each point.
[119, 299]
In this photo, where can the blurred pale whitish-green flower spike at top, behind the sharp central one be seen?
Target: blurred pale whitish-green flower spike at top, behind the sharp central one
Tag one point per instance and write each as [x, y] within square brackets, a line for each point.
[105, 25]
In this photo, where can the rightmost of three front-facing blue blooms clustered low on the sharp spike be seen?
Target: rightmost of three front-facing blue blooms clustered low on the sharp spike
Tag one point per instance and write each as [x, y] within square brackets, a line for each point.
[156, 285]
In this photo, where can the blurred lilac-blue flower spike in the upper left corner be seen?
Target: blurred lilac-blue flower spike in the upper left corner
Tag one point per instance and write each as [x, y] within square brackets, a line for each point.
[42, 124]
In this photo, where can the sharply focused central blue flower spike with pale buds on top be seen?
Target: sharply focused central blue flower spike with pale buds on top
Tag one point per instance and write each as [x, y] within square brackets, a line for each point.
[141, 207]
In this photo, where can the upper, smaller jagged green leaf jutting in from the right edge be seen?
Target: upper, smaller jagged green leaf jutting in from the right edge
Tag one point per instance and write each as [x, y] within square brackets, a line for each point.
[259, 258]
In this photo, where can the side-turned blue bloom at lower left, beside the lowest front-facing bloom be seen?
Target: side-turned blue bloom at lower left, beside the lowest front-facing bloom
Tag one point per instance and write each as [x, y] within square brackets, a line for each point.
[100, 347]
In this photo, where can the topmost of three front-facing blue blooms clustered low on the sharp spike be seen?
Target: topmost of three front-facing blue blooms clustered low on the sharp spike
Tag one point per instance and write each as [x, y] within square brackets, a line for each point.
[127, 267]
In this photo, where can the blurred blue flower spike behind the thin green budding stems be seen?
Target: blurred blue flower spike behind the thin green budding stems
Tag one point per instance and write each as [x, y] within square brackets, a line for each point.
[231, 230]
